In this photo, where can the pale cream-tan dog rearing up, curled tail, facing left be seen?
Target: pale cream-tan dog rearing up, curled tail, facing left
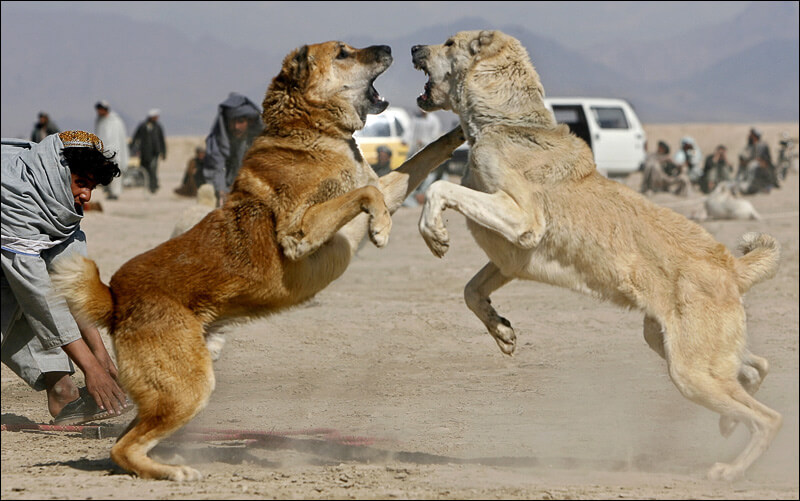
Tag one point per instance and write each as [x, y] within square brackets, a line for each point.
[537, 206]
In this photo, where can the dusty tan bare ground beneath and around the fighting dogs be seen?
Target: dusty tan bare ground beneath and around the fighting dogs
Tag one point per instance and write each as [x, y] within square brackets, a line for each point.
[584, 410]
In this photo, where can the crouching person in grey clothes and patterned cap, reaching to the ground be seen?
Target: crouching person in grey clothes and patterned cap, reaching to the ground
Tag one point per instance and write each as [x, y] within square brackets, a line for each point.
[44, 189]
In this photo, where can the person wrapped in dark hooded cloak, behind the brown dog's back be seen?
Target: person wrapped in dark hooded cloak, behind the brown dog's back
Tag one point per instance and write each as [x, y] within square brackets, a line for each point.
[236, 125]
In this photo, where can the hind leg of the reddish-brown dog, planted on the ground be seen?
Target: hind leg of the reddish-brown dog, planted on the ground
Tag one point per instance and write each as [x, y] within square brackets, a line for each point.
[170, 382]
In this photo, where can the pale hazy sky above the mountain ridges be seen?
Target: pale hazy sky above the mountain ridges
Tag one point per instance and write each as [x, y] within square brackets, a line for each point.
[573, 24]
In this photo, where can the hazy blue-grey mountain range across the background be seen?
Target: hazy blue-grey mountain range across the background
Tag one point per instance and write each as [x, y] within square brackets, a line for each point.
[742, 70]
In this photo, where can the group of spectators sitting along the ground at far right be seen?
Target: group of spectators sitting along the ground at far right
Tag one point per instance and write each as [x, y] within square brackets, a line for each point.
[687, 170]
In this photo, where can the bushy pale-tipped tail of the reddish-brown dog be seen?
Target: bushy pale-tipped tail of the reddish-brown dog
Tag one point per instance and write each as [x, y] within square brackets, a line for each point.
[78, 280]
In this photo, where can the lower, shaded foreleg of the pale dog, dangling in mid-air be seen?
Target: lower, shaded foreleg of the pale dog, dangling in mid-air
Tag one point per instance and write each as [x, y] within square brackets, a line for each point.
[476, 295]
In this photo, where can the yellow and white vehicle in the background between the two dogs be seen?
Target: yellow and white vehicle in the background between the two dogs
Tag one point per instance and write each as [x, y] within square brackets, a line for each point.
[391, 128]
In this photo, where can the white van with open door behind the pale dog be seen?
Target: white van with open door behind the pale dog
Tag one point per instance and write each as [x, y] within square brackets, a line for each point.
[609, 126]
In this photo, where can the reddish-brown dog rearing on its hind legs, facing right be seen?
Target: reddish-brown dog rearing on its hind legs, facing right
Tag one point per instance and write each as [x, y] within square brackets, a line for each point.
[303, 200]
